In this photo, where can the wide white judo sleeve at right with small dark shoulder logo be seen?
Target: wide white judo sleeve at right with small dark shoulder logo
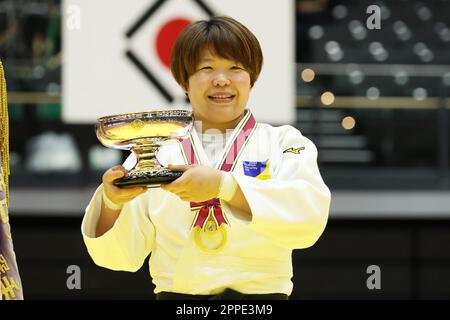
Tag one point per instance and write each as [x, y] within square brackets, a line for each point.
[292, 207]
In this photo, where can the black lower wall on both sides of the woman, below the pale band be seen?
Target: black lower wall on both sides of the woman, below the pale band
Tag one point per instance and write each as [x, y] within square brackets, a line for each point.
[413, 256]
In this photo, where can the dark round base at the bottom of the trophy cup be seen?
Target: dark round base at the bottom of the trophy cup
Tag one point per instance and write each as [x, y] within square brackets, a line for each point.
[148, 179]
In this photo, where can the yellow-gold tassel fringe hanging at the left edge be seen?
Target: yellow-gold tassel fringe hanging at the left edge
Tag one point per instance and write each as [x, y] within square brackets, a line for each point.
[4, 131]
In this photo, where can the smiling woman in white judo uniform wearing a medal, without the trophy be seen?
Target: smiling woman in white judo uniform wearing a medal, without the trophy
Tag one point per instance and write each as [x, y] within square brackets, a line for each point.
[226, 228]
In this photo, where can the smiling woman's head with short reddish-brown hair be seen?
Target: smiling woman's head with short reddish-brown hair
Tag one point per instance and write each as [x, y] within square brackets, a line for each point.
[221, 60]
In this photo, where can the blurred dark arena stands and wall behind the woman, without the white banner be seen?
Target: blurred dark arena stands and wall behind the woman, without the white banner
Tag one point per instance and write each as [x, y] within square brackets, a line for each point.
[375, 102]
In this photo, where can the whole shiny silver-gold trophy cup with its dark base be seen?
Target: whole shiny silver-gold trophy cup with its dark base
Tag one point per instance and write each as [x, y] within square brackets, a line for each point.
[143, 133]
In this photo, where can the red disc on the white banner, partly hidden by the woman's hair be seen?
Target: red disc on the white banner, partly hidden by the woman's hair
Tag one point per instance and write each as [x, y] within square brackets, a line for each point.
[166, 38]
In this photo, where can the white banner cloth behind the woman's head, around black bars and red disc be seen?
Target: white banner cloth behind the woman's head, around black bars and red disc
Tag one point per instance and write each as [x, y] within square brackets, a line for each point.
[99, 79]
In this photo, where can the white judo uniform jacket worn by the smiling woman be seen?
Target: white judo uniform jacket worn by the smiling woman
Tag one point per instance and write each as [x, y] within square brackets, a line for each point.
[276, 169]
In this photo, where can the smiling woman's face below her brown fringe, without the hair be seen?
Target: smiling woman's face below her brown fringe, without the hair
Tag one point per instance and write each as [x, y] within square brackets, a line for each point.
[218, 90]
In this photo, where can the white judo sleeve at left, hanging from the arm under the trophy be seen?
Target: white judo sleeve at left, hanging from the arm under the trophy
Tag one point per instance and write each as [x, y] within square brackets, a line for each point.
[126, 245]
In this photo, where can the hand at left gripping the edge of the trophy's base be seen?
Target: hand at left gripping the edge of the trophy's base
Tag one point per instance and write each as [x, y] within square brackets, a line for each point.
[117, 195]
